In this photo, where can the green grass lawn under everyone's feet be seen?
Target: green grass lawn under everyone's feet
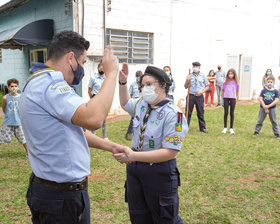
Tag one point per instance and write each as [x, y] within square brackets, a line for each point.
[224, 178]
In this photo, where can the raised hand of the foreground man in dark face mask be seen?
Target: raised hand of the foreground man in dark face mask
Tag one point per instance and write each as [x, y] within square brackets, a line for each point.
[110, 62]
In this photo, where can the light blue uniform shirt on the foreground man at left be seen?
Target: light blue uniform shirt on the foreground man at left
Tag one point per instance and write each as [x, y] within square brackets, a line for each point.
[58, 150]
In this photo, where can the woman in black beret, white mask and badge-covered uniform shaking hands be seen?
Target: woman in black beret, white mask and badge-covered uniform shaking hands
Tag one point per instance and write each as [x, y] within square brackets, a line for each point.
[159, 131]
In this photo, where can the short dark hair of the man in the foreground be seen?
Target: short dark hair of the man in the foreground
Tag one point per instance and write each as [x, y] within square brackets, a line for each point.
[67, 41]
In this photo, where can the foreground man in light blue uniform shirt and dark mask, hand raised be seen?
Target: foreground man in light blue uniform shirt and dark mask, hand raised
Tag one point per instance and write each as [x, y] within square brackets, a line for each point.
[54, 120]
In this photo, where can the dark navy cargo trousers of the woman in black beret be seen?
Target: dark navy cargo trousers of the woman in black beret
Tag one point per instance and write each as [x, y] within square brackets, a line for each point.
[152, 193]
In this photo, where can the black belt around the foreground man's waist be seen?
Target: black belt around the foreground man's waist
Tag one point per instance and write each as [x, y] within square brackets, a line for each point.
[68, 186]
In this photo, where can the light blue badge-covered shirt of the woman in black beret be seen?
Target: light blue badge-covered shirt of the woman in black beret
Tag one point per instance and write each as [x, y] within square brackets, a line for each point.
[163, 130]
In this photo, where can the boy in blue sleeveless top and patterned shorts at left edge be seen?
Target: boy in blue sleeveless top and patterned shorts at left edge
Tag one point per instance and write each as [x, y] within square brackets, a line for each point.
[11, 124]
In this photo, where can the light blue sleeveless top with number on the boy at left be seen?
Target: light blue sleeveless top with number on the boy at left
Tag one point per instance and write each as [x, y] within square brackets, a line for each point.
[12, 111]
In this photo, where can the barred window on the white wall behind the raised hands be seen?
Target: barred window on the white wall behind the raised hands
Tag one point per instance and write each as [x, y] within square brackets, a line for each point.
[130, 46]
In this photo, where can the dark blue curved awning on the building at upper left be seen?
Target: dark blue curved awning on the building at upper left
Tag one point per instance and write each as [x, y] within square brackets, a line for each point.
[39, 32]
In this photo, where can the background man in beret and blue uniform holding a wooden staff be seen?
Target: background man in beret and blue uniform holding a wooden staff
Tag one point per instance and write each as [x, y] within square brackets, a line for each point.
[198, 85]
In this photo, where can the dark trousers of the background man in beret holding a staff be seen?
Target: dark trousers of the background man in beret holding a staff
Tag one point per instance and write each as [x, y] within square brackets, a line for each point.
[198, 101]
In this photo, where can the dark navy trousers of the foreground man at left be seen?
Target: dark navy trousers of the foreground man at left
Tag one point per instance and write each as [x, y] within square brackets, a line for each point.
[53, 206]
